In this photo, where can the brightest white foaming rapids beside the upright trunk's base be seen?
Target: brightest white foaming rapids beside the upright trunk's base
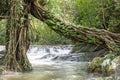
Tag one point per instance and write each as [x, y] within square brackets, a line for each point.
[44, 54]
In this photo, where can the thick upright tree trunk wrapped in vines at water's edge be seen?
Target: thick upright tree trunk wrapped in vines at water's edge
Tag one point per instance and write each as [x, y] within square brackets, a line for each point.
[17, 38]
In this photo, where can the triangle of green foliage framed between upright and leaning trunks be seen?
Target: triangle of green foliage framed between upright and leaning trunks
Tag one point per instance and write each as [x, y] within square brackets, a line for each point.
[44, 35]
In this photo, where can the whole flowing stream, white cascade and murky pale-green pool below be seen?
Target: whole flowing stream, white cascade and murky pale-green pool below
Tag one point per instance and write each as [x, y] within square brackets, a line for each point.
[53, 63]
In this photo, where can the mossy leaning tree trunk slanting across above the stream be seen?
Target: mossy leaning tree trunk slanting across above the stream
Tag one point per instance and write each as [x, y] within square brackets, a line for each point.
[103, 38]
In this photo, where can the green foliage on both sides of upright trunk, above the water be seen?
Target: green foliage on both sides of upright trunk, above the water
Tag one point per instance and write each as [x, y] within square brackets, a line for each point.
[40, 34]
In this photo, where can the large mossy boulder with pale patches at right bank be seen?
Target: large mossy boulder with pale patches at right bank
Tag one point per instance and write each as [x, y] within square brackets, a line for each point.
[106, 65]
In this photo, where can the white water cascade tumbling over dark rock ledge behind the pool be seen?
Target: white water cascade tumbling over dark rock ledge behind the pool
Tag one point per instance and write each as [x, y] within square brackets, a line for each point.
[38, 54]
